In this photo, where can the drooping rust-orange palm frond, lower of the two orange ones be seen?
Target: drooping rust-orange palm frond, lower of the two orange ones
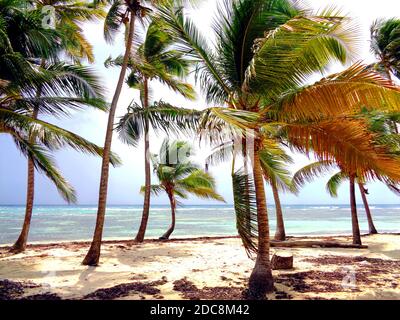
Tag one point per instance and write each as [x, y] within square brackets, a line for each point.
[347, 142]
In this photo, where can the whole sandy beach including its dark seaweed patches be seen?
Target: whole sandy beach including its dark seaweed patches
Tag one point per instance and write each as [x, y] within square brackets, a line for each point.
[214, 268]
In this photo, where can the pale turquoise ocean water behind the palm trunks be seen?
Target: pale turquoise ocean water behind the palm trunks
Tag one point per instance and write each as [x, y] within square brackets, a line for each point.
[63, 223]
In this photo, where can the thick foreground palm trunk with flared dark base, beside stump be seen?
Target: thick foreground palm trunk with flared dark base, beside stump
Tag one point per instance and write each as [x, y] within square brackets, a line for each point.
[261, 281]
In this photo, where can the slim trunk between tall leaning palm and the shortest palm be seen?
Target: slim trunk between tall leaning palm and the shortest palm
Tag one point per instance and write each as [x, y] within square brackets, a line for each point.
[146, 205]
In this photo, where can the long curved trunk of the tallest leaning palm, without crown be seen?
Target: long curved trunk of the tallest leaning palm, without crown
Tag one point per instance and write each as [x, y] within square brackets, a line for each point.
[93, 256]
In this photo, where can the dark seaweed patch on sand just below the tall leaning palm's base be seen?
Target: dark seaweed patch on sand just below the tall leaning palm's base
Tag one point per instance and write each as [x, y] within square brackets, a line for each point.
[125, 289]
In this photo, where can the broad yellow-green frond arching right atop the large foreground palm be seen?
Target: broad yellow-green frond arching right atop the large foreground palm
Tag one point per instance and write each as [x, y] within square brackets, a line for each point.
[287, 56]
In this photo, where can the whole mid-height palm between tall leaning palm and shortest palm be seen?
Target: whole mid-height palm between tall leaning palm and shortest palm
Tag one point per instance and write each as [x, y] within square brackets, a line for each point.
[154, 60]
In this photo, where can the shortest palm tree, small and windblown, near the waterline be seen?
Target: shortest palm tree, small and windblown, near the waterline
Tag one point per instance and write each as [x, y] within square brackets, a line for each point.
[180, 177]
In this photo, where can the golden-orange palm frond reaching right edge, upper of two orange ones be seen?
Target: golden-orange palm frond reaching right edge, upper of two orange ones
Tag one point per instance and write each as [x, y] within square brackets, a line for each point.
[339, 94]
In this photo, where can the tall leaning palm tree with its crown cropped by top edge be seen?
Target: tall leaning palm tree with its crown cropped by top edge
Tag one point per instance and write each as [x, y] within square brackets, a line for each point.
[120, 12]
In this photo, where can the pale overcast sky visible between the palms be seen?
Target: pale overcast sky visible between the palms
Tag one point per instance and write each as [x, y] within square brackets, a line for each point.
[83, 171]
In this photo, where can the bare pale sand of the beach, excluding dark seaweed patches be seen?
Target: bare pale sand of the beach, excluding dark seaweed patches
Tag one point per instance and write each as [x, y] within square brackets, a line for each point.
[206, 263]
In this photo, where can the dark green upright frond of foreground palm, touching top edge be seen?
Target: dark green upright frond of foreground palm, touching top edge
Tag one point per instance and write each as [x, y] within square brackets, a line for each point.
[239, 24]
